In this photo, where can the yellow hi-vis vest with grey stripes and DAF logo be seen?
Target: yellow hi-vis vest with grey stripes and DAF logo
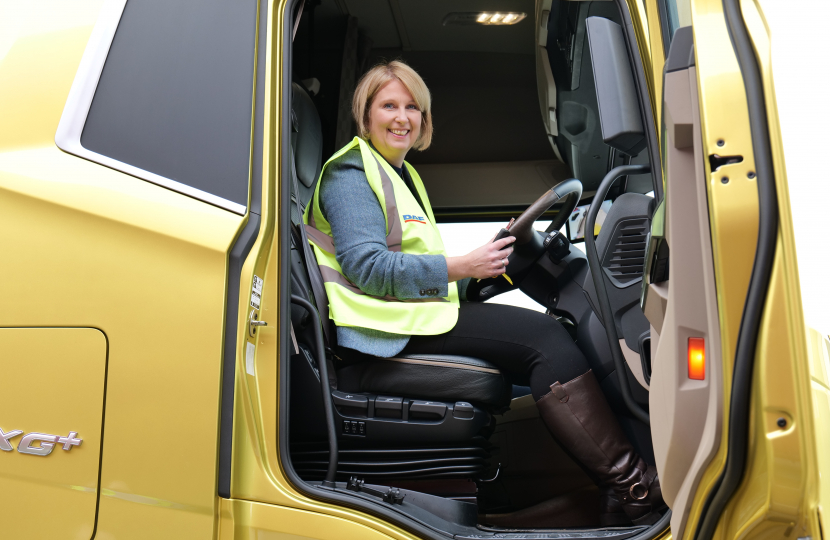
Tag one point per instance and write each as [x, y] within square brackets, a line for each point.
[406, 231]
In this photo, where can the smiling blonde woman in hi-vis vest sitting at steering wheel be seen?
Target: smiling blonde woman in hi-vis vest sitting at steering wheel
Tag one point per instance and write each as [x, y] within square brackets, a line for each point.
[393, 290]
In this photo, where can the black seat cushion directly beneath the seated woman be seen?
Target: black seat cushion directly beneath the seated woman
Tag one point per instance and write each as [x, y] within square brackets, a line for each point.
[437, 377]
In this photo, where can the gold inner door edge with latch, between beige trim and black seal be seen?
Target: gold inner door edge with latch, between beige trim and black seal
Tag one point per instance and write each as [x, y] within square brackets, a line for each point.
[732, 215]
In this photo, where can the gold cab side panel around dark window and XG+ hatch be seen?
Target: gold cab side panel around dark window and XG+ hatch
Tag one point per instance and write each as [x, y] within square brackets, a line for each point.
[89, 246]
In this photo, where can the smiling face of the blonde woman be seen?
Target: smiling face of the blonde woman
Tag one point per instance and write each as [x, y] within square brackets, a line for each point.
[394, 122]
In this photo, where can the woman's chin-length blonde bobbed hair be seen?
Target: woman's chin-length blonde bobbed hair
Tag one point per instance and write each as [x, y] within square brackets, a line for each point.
[378, 77]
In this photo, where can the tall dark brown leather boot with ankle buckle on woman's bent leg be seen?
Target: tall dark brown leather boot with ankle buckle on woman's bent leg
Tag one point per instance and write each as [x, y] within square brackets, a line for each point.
[579, 417]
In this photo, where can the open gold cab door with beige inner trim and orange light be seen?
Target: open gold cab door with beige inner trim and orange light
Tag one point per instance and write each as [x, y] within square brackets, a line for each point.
[730, 401]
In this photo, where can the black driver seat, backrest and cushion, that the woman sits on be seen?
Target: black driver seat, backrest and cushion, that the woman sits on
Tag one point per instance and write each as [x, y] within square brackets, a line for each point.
[420, 378]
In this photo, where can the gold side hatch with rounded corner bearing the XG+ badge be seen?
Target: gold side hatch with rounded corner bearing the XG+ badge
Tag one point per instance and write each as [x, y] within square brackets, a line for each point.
[53, 384]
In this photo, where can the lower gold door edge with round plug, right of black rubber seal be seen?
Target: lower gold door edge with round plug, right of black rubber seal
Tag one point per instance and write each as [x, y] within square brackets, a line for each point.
[776, 495]
